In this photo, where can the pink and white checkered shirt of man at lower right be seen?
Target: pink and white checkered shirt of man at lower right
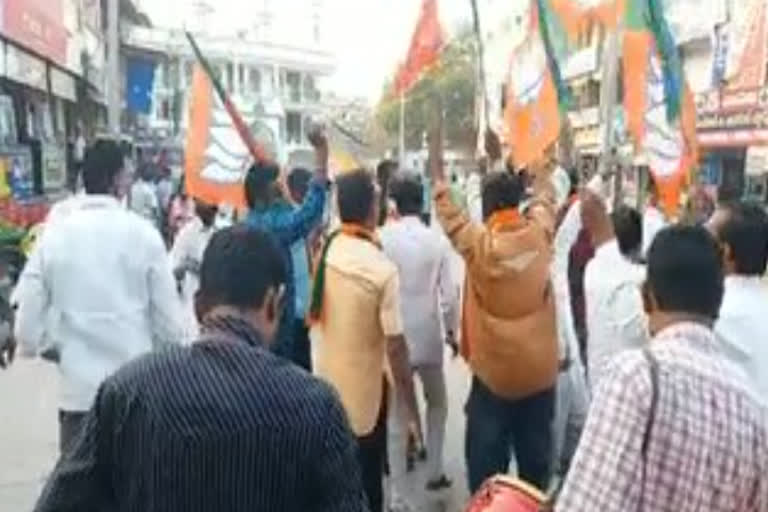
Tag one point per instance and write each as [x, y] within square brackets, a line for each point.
[708, 446]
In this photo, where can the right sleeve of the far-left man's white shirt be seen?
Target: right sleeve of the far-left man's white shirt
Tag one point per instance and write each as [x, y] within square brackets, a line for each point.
[166, 316]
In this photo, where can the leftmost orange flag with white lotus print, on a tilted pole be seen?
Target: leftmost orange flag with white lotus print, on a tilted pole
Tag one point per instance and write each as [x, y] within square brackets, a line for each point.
[216, 158]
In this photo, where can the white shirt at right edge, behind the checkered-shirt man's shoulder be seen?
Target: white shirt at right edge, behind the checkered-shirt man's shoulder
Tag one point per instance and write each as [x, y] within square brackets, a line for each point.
[742, 329]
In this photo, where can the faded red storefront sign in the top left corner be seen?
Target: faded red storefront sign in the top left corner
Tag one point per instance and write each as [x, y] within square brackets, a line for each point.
[37, 25]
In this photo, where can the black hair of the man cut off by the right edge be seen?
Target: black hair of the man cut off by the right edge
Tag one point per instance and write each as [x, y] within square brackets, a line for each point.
[746, 233]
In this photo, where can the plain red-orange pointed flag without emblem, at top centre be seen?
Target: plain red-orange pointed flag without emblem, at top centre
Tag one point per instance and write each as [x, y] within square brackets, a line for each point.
[424, 52]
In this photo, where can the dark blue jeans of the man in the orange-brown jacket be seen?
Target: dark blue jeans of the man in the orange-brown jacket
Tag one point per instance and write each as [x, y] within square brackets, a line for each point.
[495, 426]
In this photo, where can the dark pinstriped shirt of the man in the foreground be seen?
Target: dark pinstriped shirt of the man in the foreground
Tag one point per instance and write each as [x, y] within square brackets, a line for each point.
[223, 425]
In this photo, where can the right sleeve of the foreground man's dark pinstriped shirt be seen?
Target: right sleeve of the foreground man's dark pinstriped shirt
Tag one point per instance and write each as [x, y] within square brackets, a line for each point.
[335, 480]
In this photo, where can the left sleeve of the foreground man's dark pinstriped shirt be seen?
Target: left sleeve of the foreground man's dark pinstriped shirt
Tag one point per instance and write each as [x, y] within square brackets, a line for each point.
[81, 479]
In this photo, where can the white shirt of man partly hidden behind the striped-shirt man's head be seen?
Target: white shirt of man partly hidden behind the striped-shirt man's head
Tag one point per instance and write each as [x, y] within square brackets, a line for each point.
[189, 246]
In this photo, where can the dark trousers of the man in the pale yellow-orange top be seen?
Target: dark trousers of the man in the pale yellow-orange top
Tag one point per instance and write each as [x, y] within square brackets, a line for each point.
[372, 455]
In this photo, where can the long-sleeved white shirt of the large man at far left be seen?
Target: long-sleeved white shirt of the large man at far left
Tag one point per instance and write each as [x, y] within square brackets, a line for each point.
[99, 285]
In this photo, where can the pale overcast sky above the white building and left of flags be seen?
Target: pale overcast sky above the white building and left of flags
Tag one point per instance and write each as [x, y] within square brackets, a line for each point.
[367, 36]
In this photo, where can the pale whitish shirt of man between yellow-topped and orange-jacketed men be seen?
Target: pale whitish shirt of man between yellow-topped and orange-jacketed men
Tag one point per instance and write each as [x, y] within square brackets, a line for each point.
[426, 288]
